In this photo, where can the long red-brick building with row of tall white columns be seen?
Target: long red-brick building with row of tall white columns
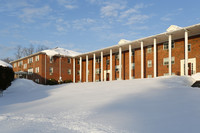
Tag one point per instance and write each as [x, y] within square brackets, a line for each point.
[158, 55]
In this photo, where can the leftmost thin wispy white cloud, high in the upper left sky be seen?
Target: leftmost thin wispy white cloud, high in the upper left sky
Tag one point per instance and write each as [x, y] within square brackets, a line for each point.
[29, 14]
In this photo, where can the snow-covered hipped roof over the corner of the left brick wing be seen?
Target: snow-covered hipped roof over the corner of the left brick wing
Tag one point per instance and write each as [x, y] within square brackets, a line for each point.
[60, 51]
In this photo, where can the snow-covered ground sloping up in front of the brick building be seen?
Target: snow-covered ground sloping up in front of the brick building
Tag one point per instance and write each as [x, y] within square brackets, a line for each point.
[161, 105]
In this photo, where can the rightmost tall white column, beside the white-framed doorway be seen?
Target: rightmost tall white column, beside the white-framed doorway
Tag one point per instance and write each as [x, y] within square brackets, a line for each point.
[186, 53]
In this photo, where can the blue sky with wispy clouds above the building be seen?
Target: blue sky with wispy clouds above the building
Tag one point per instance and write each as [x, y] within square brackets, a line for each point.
[86, 25]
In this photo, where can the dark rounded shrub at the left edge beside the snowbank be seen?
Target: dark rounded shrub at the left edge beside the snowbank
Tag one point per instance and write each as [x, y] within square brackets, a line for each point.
[6, 77]
